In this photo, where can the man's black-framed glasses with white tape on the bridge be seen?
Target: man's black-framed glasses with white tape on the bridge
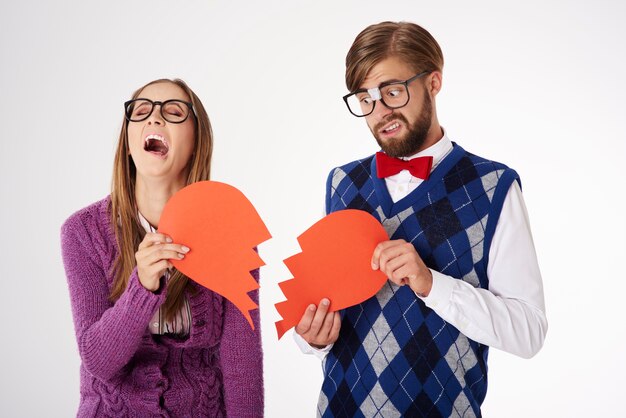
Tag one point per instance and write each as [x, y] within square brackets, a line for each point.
[393, 94]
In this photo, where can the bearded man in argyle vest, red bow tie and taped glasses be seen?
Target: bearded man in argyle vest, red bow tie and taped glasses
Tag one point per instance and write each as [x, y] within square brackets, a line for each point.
[462, 269]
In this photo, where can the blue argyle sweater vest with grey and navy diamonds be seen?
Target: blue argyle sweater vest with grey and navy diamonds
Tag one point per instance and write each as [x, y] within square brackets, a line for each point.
[394, 356]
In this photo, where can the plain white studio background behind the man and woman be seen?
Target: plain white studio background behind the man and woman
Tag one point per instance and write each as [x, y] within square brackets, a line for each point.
[537, 85]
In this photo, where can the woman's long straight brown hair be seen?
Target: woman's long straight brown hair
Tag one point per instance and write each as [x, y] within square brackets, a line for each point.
[124, 219]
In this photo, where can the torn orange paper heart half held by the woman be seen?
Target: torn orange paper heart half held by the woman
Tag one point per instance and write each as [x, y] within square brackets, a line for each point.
[221, 227]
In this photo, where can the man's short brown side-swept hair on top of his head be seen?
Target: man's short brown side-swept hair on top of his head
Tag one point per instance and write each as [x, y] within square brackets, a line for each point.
[411, 43]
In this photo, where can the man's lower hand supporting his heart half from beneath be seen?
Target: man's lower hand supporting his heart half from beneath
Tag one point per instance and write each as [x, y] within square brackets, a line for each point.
[318, 327]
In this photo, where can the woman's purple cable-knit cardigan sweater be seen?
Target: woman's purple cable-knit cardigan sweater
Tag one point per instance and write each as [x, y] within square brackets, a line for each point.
[125, 370]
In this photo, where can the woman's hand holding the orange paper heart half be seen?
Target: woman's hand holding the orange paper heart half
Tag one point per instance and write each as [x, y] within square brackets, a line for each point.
[153, 257]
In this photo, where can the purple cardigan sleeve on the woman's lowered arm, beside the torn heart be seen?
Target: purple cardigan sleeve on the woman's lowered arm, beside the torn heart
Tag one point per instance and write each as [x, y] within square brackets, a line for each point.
[242, 361]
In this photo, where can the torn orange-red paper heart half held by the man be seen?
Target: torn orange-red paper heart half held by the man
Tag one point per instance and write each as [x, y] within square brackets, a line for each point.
[335, 263]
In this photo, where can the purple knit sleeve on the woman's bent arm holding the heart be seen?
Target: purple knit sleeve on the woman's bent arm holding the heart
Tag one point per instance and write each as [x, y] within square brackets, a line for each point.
[107, 334]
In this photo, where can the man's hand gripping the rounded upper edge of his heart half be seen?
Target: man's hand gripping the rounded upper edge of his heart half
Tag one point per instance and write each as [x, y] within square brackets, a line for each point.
[402, 265]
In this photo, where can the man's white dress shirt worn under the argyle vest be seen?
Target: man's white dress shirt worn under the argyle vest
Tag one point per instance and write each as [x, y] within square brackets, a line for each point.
[510, 314]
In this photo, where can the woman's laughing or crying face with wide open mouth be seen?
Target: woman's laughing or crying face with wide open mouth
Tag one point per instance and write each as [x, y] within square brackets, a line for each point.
[161, 149]
